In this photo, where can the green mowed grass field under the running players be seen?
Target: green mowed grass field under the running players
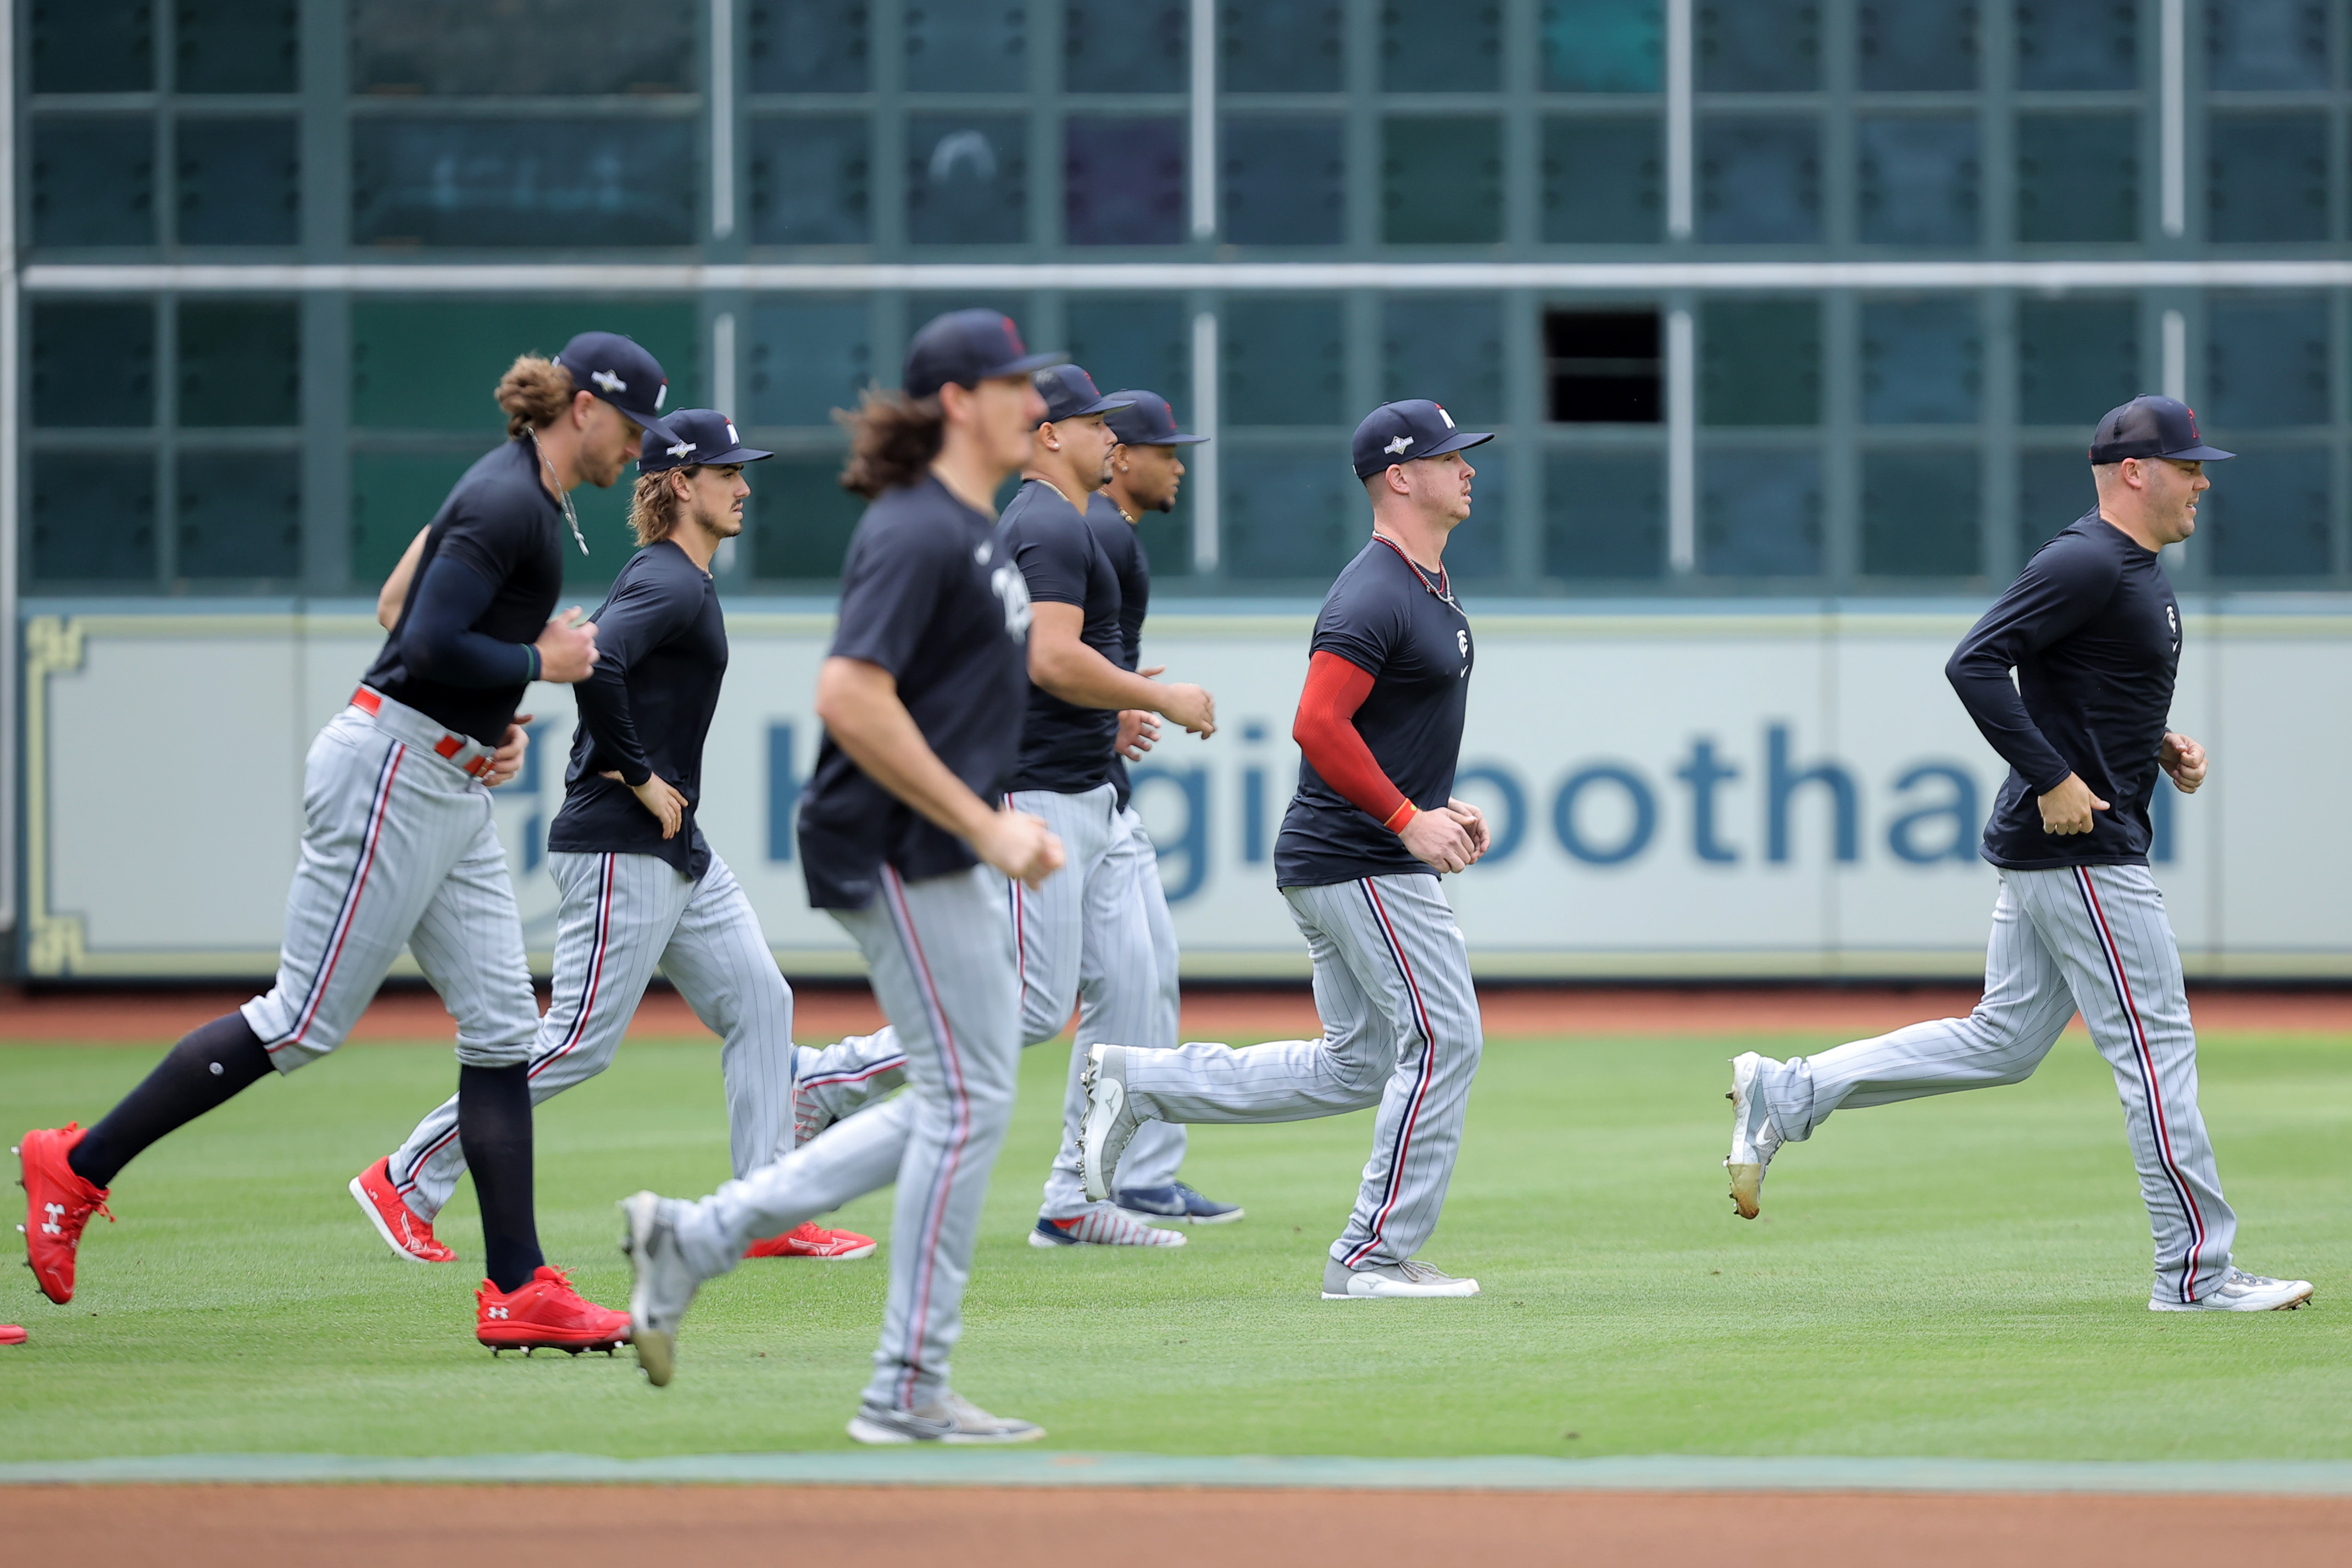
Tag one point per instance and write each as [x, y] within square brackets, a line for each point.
[1946, 1278]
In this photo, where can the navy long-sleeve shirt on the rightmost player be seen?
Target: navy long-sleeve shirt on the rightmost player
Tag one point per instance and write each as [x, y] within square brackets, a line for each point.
[2094, 636]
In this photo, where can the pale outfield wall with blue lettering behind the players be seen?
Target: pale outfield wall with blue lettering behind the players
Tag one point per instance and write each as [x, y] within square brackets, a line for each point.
[1681, 793]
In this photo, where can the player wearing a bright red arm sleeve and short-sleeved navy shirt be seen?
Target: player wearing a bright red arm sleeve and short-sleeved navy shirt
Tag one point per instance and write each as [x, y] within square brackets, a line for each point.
[1379, 728]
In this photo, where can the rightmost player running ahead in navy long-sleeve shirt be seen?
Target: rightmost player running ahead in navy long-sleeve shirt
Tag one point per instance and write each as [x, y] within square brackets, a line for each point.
[2094, 636]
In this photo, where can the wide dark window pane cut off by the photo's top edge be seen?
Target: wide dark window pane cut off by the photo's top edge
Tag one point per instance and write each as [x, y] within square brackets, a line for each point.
[537, 48]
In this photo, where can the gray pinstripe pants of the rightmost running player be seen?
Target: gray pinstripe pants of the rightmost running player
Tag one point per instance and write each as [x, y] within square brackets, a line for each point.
[2085, 939]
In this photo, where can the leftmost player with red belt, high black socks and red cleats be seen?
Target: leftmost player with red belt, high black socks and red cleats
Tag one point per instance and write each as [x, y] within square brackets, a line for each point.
[399, 847]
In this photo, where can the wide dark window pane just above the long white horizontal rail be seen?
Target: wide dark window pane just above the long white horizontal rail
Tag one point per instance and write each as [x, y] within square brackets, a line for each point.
[523, 182]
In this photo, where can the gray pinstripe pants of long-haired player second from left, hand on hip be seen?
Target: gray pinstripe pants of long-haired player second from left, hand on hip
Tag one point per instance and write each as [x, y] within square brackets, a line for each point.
[622, 916]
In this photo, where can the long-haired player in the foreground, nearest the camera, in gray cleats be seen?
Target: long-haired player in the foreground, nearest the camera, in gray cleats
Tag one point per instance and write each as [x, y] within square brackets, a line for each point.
[902, 840]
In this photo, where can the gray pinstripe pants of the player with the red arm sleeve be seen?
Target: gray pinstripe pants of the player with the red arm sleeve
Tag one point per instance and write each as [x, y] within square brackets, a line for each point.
[1401, 1031]
